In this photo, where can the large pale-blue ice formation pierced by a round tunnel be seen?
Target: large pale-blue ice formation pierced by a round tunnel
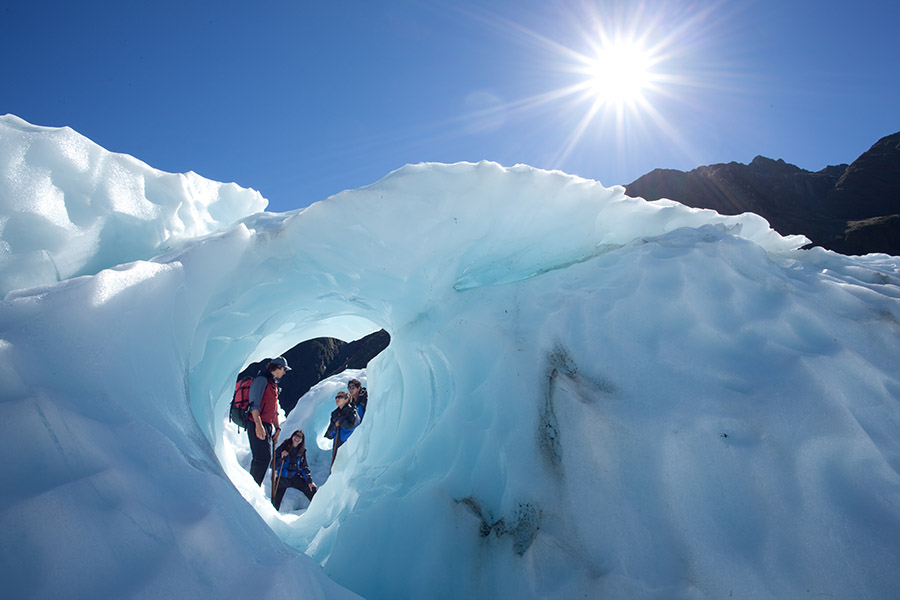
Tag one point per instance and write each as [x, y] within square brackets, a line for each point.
[585, 395]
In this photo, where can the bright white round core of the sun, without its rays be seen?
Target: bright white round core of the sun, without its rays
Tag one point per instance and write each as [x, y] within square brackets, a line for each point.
[620, 73]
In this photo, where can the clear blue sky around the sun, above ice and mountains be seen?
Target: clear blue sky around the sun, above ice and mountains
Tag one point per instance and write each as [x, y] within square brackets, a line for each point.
[300, 99]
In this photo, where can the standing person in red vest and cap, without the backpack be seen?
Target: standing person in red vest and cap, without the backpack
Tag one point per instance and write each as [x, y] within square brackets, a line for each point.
[264, 427]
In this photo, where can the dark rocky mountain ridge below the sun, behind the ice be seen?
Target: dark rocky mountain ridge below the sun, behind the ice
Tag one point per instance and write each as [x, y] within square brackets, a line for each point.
[852, 209]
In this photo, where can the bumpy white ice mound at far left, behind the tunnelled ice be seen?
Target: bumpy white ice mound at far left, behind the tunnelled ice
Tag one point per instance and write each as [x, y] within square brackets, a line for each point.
[68, 207]
